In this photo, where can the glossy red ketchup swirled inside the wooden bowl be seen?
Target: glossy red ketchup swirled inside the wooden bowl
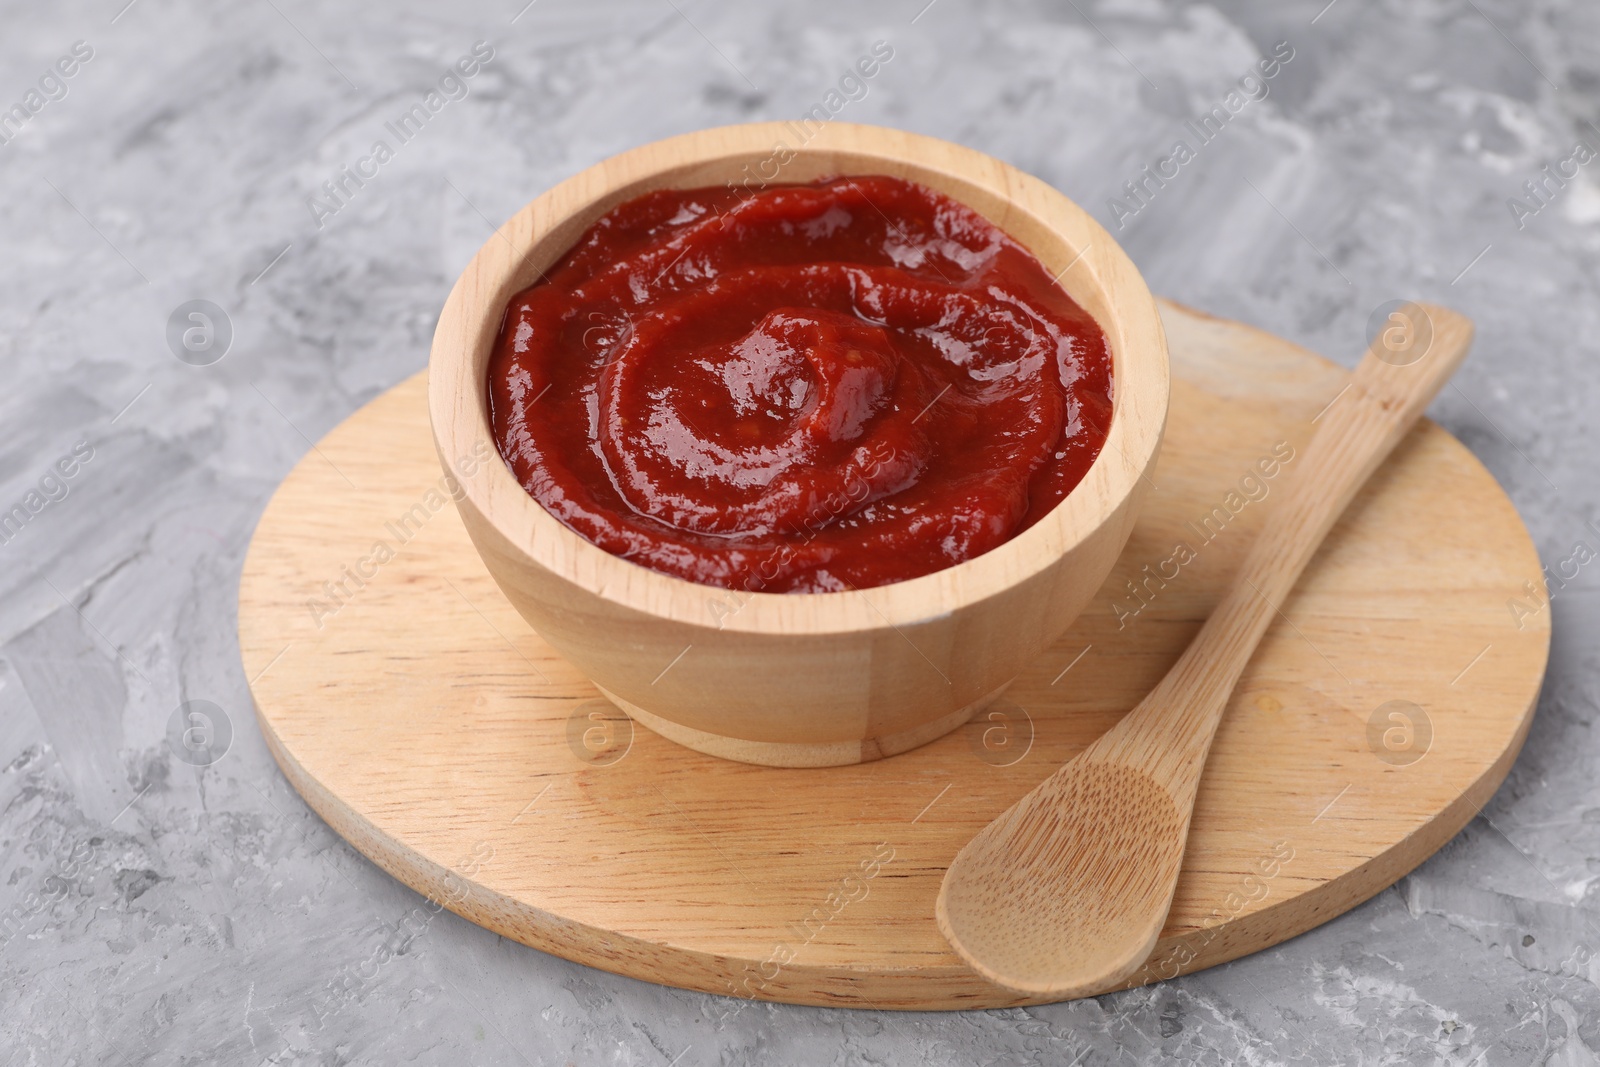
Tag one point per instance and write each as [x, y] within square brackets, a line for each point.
[807, 390]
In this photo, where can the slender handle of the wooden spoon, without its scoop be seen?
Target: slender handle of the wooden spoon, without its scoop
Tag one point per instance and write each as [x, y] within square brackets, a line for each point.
[1412, 359]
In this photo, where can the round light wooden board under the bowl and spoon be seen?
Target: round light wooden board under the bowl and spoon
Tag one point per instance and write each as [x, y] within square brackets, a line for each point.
[423, 719]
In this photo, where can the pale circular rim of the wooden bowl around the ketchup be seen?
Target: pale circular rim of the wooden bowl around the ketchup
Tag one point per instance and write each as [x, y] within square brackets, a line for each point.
[516, 255]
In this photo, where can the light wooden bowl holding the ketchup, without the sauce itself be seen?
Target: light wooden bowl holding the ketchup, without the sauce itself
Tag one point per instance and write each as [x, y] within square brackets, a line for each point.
[801, 679]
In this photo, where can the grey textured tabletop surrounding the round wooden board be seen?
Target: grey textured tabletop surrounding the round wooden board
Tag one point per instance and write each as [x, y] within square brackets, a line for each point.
[164, 908]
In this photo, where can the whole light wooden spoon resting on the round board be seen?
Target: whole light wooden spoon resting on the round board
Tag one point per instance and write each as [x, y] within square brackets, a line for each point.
[1066, 893]
